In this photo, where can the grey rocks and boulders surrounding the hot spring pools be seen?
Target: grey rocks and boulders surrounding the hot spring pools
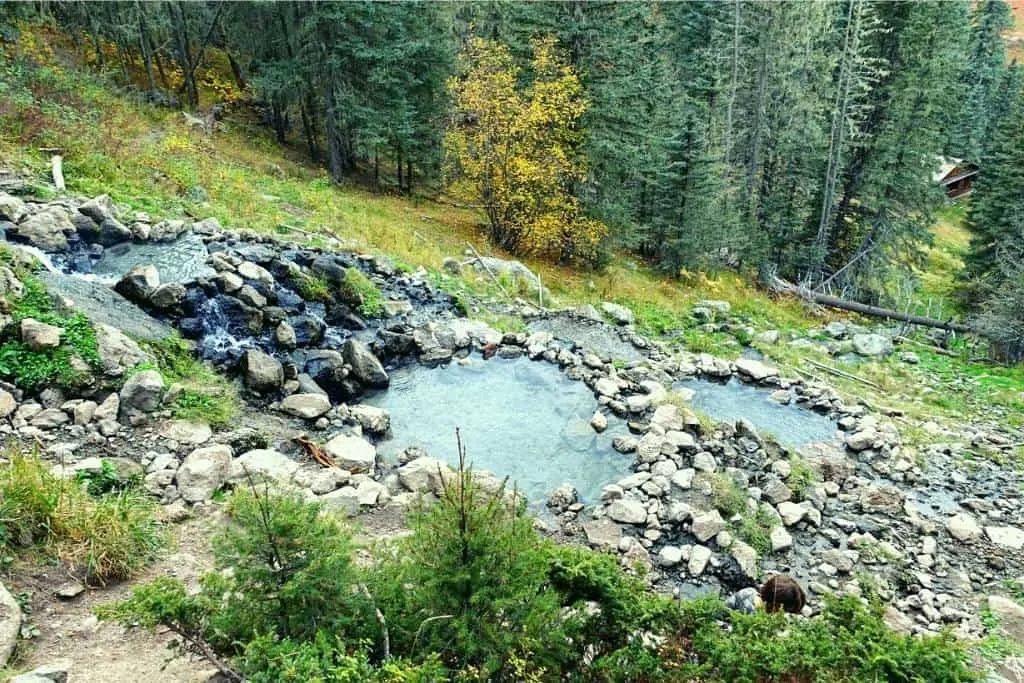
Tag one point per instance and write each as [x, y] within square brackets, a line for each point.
[864, 515]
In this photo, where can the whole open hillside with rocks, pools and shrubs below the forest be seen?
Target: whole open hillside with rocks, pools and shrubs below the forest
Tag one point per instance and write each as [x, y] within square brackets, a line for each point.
[260, 348]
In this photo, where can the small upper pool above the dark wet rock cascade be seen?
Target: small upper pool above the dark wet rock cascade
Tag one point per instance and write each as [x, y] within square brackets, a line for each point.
[177, 262]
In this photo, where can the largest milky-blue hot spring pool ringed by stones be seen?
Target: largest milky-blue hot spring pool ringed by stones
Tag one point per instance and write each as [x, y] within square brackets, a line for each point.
[521, 419]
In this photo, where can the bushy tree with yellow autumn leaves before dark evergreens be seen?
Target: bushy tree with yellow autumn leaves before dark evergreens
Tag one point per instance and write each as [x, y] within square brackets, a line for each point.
[517, 151]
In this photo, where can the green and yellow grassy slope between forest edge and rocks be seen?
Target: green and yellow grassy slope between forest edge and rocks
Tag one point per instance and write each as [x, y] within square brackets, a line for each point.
[149, 158]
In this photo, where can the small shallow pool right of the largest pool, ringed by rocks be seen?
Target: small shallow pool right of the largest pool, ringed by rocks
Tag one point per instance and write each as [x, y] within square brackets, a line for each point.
[792, 425]
